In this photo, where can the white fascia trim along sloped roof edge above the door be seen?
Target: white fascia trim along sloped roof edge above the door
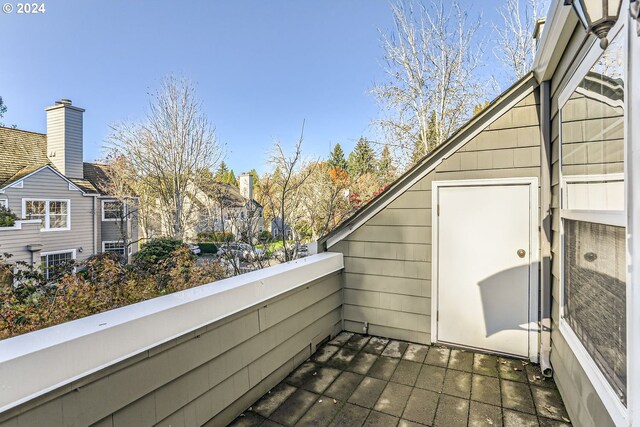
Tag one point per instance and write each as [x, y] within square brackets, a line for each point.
[448, 151]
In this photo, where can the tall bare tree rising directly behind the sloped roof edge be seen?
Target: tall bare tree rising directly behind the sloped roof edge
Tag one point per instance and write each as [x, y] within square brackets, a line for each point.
[431, 59]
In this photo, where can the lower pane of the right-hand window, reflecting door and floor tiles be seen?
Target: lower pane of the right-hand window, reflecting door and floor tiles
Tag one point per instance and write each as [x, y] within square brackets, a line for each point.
[595, 295]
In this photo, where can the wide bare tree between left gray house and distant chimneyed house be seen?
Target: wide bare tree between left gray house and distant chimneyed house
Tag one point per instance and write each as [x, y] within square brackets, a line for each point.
[169, 148]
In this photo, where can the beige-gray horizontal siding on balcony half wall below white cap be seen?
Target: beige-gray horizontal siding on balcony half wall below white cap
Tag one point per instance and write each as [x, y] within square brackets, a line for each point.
[207, 377]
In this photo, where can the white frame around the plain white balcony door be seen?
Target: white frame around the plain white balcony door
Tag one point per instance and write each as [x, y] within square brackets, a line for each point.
[534, 248]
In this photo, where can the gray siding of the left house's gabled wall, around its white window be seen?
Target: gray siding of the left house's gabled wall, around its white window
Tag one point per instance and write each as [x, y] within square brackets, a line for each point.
[46, 184]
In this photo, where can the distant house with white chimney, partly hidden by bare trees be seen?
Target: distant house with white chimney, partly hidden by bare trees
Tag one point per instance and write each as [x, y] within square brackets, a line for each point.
[224, 207]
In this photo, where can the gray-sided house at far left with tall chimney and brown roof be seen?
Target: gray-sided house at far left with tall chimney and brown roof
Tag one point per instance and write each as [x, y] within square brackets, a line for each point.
[63, 204]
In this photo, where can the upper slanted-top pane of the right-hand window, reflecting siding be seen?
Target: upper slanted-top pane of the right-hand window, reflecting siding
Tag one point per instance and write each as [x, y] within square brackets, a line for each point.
[592, 136]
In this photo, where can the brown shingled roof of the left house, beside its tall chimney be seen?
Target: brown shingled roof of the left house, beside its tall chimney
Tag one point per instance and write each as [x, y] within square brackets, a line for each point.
[23, 152]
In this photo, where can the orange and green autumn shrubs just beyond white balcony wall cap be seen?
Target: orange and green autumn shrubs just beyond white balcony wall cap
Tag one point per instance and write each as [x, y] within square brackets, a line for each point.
[101, 283]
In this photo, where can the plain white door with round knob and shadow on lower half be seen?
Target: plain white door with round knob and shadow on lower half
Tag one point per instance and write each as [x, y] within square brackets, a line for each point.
[483, 255]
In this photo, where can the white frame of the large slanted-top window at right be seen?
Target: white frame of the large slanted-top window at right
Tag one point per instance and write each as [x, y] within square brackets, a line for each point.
[609, 397]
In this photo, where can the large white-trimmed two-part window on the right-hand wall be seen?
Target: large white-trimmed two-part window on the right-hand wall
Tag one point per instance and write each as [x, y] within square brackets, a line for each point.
[593, 315]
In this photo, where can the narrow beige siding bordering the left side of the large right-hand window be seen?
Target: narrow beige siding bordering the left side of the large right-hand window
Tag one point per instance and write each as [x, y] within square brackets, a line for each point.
[580, 398]
